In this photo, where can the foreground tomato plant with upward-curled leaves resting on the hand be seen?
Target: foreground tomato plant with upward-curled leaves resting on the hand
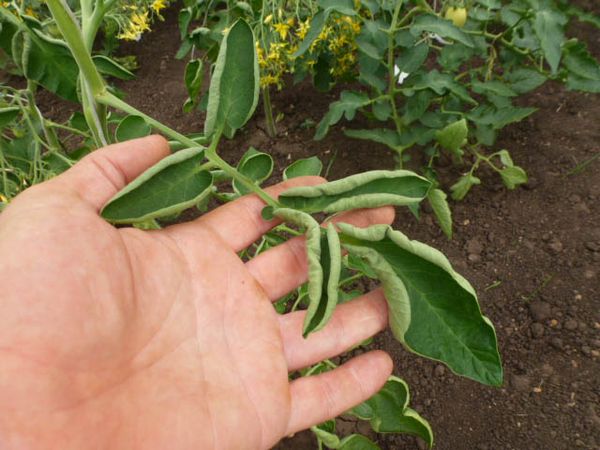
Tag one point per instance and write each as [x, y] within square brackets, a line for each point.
[439, 320]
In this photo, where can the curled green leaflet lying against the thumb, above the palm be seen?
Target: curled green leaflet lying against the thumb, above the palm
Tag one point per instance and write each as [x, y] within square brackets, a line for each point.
[170, 186]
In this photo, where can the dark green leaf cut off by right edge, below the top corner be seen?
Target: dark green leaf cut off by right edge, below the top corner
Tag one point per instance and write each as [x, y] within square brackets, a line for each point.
[584, 70]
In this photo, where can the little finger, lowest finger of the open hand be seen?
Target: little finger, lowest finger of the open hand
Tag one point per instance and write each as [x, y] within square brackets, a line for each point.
[318, 398]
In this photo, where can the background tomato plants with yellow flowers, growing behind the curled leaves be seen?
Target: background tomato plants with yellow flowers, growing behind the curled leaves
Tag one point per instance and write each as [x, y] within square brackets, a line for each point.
[434, 79]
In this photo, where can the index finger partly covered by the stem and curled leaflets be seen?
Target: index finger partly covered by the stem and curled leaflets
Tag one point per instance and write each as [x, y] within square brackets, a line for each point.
[240, 222]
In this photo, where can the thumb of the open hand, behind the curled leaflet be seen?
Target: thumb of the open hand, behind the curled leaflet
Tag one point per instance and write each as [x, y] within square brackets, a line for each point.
[103, 173]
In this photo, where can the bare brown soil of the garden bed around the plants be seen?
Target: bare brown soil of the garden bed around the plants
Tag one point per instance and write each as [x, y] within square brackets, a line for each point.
[533, 255]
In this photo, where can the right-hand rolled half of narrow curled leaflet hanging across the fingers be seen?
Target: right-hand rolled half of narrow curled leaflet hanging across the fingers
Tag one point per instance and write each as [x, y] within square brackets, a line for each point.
[320, 312]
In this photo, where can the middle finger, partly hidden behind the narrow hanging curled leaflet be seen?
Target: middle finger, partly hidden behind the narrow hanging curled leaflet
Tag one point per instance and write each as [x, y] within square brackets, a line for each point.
[282, 269]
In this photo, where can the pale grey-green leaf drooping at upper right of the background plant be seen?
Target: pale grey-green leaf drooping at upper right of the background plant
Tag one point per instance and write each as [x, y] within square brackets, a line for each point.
[548, 26]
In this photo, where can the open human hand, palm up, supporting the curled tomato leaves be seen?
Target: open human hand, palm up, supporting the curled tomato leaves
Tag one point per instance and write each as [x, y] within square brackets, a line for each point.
[122, 338]
